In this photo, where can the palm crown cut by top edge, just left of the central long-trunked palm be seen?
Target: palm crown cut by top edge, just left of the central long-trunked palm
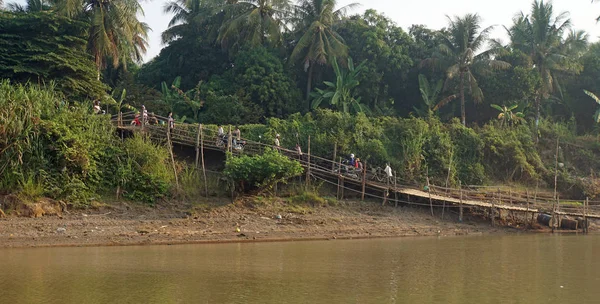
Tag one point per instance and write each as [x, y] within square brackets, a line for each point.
[255, 22]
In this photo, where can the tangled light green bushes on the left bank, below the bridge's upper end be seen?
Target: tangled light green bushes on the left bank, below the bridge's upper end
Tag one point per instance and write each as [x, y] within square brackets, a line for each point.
[69, 152]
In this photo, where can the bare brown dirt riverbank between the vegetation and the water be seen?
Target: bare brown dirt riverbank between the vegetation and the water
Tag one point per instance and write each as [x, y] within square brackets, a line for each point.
[121, 224]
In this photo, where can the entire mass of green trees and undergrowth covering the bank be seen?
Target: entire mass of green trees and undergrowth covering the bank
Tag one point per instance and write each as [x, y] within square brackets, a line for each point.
[252, 62]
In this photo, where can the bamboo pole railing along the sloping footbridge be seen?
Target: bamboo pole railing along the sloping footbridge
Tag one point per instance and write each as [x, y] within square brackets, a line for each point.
[189, 134]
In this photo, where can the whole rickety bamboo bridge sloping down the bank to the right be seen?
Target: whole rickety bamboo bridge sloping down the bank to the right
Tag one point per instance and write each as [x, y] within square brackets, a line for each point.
[372, 182]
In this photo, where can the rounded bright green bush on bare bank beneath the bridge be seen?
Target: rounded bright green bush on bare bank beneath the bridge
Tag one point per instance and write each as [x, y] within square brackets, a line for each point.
[260, 171]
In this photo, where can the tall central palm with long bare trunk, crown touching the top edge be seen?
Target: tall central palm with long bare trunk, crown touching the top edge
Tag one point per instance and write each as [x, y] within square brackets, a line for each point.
[318, 41]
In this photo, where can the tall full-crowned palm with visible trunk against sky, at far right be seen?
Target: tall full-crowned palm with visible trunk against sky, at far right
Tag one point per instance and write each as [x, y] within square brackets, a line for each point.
[540, 36]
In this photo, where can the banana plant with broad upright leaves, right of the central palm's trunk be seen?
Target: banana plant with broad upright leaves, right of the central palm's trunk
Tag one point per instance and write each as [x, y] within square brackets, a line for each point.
[340, 94]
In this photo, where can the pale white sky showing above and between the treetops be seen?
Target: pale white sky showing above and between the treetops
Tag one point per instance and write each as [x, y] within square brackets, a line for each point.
[431, 13]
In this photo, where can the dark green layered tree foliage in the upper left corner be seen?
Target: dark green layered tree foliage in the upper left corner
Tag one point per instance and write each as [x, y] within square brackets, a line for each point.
[42, 47]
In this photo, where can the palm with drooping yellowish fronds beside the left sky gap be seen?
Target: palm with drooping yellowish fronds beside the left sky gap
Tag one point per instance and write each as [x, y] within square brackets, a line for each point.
[115, 32]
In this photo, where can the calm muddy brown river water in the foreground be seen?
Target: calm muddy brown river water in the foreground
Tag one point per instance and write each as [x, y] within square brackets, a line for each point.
[476, 269]
